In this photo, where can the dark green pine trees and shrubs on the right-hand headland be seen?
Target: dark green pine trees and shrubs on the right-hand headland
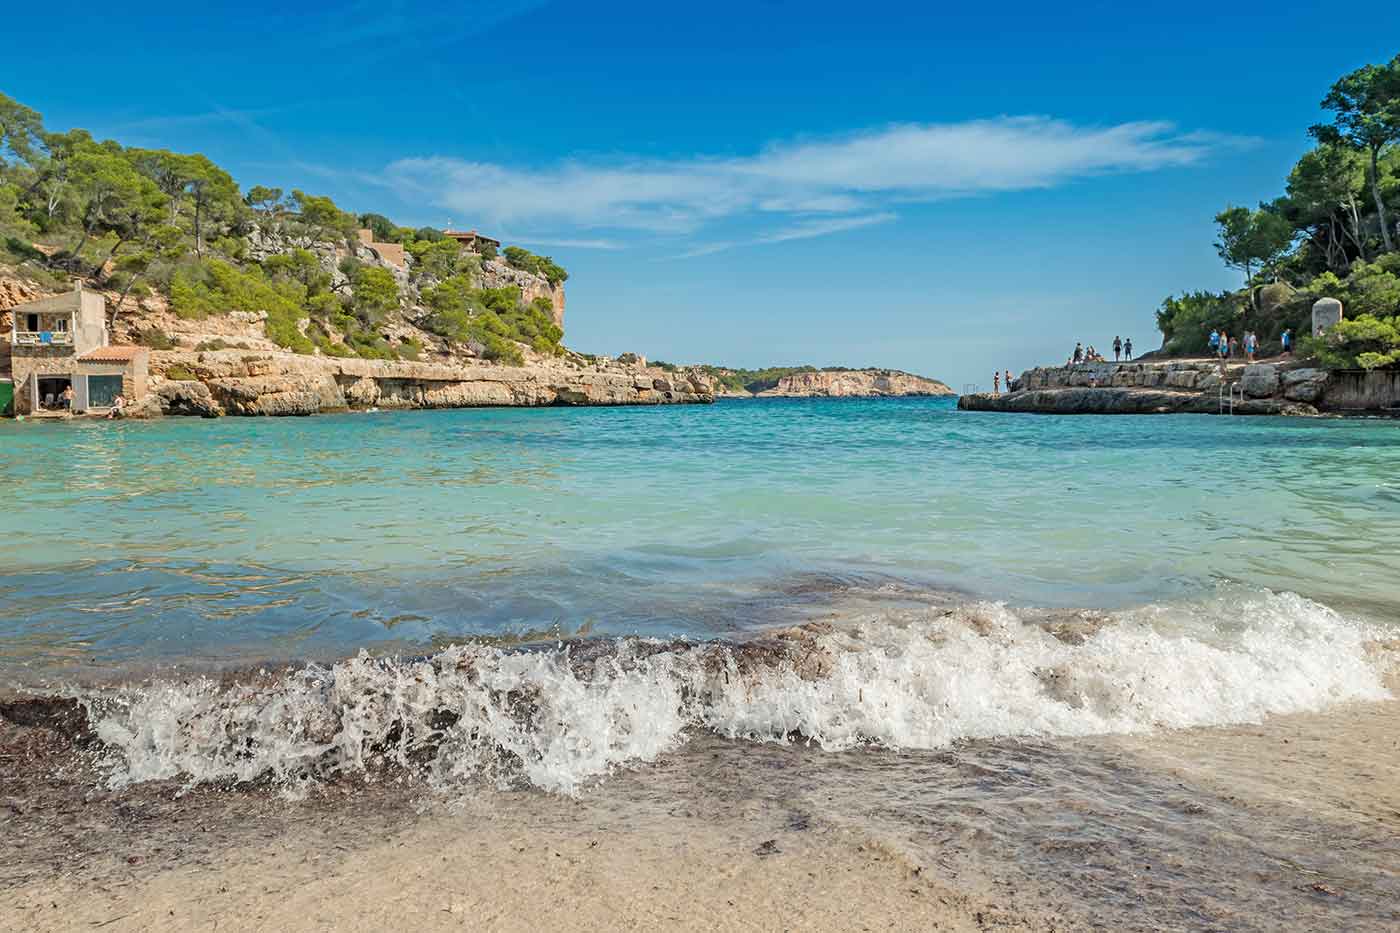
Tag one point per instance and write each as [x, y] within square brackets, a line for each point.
[1332, 233]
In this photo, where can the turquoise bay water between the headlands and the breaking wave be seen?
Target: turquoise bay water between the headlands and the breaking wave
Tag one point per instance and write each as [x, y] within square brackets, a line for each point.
[262, 540]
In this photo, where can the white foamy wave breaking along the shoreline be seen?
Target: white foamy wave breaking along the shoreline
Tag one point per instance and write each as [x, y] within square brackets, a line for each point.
[922, 680]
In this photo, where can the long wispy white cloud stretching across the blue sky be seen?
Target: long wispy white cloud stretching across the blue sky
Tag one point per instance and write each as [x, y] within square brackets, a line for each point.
[857, 176]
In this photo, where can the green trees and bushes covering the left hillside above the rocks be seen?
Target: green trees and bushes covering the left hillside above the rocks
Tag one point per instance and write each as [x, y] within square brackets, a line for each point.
[141, 221]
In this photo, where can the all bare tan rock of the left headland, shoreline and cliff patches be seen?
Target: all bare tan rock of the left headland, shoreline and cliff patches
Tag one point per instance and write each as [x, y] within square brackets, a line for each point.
[229, 365]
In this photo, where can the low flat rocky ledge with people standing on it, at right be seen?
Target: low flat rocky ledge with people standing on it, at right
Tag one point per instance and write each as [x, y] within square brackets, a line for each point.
[1160, 387]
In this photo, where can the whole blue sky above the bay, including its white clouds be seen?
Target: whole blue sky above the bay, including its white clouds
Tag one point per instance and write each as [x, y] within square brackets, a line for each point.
[951, 193]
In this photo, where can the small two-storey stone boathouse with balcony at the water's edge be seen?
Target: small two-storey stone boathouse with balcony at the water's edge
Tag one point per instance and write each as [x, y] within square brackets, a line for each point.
[62, 359]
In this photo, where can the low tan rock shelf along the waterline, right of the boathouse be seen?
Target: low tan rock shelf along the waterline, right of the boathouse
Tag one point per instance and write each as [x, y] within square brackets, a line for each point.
[279, 385]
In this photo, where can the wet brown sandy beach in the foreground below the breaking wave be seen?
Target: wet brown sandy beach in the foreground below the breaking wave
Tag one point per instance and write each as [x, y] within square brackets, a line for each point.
[1290, 824]
